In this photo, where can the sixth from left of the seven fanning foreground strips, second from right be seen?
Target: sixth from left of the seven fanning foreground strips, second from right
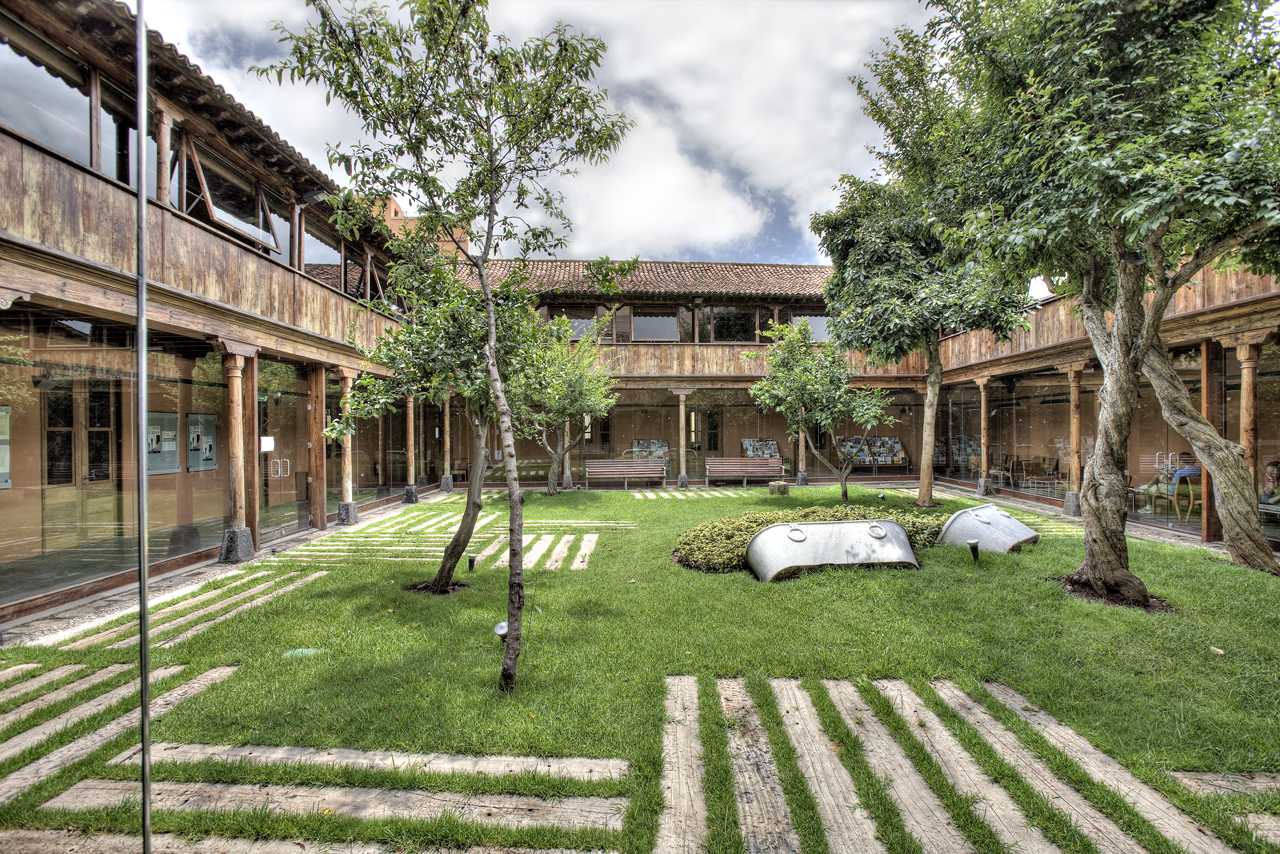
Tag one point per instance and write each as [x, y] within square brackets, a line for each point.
[1089, 820]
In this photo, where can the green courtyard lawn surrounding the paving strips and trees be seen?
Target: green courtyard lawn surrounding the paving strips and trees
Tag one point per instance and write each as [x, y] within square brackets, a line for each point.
[401, 672]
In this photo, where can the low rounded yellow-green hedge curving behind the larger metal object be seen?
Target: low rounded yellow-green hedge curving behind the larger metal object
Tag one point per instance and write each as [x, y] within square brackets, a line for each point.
[721, 546]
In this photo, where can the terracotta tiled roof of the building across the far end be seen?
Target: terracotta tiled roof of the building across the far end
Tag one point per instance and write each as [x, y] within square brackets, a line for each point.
[666, 280]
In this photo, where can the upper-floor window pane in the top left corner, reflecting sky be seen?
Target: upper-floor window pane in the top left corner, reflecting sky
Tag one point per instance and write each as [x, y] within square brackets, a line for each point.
[45, 95]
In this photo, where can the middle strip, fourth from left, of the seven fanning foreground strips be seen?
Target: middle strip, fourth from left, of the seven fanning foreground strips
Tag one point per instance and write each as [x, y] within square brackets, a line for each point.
[924, 815]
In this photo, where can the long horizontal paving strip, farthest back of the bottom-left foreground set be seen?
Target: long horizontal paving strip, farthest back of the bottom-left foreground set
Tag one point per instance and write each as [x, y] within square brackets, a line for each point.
[492, 766]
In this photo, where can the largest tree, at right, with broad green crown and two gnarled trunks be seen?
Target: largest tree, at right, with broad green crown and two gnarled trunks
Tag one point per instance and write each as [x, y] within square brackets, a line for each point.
[1121, 149]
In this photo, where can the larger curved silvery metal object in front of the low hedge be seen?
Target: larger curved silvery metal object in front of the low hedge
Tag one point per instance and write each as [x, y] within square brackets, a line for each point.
[783, 551]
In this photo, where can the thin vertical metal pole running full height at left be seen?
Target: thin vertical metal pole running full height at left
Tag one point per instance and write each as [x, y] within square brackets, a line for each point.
[144, 623]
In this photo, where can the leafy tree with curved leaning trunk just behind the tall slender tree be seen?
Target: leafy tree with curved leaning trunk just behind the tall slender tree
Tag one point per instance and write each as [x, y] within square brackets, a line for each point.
[438, 353]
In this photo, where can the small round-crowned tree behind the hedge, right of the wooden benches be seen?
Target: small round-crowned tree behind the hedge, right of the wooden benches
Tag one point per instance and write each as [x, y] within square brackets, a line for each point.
[811, 385]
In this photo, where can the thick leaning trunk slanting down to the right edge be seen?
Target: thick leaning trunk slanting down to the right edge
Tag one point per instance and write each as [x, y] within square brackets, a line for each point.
[1228, 469]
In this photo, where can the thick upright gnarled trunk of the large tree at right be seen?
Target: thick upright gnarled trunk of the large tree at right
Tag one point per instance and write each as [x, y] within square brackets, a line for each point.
[1104, 494]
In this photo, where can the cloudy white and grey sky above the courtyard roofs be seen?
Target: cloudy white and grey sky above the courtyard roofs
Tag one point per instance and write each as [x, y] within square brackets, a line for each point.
[744, 115]
